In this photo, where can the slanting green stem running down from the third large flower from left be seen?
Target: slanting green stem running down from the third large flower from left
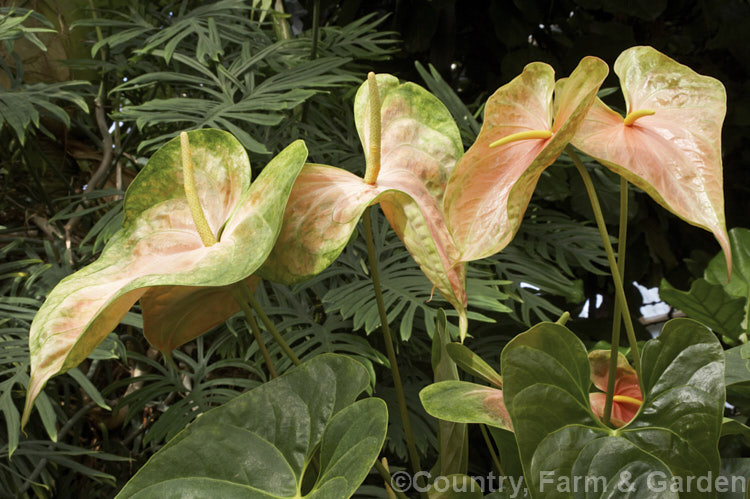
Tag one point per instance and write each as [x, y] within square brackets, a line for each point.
[619, 289]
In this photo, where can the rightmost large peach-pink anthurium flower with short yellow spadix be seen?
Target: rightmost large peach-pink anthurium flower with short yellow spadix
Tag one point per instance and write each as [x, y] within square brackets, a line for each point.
[669, 143]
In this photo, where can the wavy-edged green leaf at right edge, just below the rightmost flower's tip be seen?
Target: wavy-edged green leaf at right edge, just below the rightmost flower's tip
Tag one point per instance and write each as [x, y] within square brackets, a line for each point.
[708, 303]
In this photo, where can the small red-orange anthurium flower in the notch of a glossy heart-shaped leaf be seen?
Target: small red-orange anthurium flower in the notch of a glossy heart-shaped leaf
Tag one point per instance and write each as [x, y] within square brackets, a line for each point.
[627, 398]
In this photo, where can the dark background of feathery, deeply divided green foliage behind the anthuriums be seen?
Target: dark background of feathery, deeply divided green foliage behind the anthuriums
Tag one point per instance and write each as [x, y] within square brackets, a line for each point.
[118, 78]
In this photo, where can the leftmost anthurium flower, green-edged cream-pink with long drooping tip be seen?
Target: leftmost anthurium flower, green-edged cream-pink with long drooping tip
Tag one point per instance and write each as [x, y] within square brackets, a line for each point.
[159, 256]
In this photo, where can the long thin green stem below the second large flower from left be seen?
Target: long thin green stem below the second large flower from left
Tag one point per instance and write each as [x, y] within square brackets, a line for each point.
[405, 421]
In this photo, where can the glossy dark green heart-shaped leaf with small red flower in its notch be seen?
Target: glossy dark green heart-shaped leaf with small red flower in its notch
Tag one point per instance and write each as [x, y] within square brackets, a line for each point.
[676, 432]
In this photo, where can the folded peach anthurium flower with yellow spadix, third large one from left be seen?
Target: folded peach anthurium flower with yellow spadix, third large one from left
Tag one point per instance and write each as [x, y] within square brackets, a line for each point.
[527, 124]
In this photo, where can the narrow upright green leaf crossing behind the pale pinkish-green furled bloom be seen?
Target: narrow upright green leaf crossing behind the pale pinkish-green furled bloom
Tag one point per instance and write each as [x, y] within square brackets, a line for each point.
[453, 438]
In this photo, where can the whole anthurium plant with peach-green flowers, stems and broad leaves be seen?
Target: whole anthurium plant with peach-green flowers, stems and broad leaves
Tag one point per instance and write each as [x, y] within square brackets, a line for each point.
[199, 236]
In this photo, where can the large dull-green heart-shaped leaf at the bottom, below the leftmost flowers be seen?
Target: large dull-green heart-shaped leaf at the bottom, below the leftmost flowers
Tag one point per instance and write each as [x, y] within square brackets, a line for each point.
[260, 444]
